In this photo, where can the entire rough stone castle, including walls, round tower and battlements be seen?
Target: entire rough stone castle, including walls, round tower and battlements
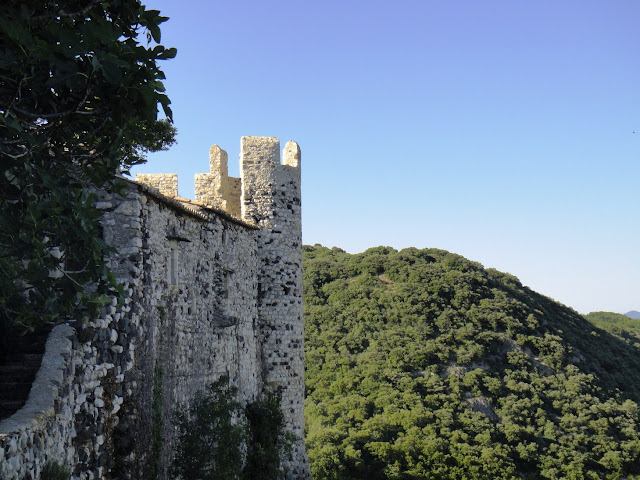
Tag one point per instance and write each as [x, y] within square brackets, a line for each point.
[206, 295]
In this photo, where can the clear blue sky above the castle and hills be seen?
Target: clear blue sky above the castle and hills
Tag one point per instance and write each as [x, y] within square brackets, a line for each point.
[499, 130]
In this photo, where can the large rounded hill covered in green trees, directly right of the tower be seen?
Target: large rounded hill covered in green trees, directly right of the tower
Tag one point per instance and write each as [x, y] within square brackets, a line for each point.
[421, 364]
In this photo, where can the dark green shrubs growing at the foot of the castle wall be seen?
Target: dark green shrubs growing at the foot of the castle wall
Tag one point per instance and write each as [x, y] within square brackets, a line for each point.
[218, 439]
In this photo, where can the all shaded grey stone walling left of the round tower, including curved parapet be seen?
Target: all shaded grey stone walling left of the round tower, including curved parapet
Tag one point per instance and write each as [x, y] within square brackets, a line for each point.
[176, 333]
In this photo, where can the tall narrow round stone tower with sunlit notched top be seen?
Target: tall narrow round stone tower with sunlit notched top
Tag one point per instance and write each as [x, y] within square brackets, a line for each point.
[271, 200]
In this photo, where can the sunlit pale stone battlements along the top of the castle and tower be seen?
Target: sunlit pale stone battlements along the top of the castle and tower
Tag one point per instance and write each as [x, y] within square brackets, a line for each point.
[260, 168]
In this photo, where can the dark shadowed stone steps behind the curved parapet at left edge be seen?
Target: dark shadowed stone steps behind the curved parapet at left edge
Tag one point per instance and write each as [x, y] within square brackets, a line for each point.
[18, 370]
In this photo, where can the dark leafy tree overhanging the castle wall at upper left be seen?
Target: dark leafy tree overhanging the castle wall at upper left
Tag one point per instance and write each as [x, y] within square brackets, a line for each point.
[80, 87]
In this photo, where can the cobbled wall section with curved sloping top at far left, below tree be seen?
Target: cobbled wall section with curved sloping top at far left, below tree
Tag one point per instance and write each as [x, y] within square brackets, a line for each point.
[74, 404]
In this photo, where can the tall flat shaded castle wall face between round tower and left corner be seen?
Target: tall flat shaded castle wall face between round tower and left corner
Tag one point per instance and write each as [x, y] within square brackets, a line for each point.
[198, 299]
